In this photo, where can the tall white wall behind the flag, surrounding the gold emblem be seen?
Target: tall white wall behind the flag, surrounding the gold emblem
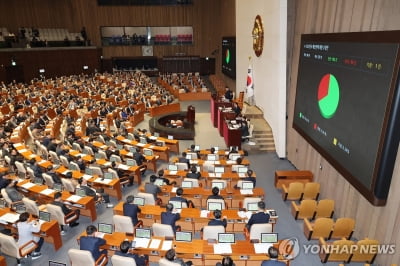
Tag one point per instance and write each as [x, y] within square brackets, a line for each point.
[270, 68]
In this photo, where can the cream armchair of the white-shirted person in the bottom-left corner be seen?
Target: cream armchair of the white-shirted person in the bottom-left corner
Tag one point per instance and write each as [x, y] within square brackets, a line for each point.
[9, 246]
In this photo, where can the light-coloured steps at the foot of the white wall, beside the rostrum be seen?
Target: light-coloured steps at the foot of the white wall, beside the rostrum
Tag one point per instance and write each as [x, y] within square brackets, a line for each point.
[263, 139]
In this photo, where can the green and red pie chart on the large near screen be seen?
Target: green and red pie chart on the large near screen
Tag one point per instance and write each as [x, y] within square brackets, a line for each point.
[328, 96]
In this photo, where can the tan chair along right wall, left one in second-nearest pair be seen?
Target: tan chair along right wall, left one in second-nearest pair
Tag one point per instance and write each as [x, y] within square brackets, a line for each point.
[322, 227]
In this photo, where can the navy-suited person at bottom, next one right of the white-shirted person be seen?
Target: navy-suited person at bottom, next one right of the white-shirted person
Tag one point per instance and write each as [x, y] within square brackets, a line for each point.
[92, 243]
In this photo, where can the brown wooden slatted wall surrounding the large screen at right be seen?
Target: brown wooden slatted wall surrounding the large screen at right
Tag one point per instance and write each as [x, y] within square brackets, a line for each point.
[318, 16]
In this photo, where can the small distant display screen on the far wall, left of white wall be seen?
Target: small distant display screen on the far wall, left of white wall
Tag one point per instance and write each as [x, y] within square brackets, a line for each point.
[229, 56]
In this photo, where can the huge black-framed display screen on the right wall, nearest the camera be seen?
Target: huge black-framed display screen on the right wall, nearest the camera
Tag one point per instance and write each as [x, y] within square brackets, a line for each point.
[346, 103]
